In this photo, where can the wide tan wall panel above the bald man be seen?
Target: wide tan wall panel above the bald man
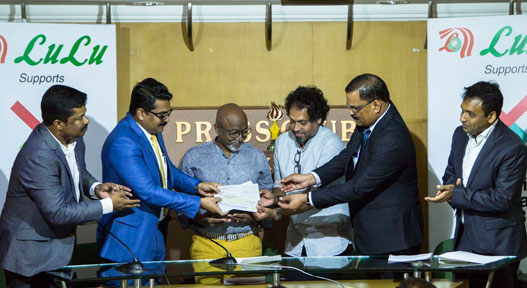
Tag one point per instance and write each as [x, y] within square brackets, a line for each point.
[229, 64]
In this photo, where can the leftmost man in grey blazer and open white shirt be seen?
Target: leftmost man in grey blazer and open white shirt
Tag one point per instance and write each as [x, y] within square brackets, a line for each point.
[45, 195]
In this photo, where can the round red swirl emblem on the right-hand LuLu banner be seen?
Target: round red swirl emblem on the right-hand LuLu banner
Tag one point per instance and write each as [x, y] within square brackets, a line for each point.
[454, 43]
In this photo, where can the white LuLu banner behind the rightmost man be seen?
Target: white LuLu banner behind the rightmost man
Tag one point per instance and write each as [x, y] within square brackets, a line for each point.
[461, 52]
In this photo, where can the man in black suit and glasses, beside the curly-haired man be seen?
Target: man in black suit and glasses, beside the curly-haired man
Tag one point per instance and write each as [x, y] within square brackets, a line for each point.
[379, 165]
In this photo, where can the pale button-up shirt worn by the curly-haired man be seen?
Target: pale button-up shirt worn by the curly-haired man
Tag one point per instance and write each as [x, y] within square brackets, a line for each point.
[322, 232]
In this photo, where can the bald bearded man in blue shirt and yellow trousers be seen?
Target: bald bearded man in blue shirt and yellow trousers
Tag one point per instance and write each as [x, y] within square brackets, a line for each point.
[229, 161]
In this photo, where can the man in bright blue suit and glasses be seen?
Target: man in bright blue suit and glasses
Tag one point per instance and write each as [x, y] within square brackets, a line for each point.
[134, 155]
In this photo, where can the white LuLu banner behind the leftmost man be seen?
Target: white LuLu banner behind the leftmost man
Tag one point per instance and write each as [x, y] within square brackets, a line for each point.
[34, 57]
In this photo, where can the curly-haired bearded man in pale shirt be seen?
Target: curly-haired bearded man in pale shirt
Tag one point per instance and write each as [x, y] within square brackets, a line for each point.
[306, 146]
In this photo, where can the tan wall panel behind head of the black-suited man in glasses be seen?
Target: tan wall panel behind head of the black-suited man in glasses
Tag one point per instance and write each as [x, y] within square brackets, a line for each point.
[383, 48]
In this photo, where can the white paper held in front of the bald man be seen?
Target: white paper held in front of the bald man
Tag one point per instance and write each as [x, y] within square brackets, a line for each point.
[242, 197]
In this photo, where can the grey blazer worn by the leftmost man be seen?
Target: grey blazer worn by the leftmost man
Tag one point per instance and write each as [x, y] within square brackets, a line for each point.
[37, 226]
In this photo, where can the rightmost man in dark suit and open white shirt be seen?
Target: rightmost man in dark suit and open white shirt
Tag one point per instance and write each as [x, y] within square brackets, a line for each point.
[483, 182]
